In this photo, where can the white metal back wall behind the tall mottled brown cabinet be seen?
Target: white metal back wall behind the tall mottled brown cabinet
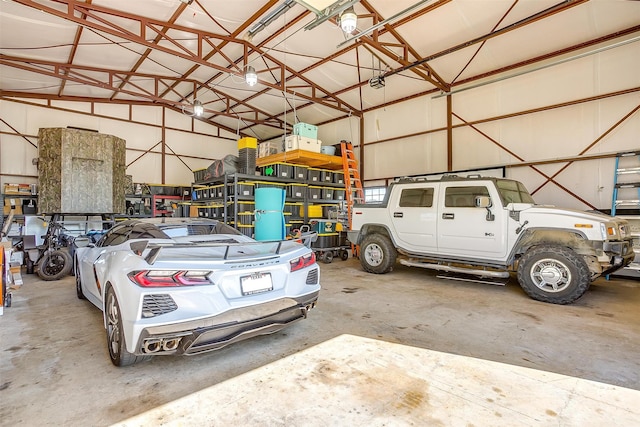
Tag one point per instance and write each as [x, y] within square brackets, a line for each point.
[143, 132]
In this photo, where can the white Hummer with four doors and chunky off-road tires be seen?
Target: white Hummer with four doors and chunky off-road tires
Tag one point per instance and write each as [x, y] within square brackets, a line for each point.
[489, 227]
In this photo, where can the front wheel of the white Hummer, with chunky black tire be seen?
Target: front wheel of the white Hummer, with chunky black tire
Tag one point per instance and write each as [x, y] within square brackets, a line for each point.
[553, 274]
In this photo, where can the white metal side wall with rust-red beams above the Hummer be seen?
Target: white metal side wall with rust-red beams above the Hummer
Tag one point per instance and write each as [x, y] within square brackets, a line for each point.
[556, 133]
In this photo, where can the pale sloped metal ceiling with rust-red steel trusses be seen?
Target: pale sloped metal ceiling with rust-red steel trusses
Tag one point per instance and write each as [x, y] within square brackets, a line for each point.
[169, 52]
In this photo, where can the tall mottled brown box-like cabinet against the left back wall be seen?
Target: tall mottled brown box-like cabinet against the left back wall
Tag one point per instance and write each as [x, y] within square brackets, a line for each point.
[80, 172]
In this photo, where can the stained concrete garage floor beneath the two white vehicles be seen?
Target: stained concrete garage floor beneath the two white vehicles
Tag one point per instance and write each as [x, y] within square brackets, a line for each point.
[55, 370]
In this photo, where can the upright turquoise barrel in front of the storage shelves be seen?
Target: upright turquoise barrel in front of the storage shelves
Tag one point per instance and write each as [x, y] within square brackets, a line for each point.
[269, 214]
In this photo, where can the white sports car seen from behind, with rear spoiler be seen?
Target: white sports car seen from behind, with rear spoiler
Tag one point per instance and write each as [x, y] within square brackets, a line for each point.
[190, 285]
